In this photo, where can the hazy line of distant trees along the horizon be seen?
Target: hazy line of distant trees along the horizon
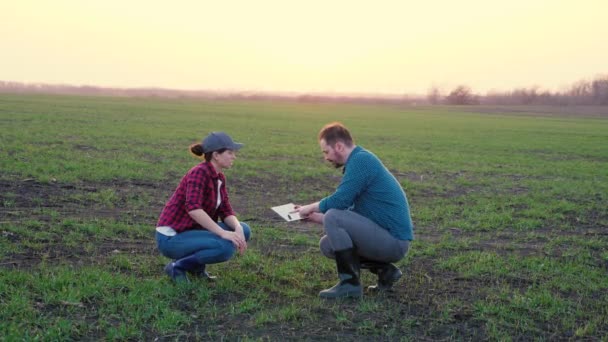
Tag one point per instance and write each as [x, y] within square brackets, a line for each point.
[584, 92]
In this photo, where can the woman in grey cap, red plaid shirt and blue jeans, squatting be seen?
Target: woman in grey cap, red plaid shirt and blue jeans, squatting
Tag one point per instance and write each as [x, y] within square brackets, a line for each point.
[188, 230]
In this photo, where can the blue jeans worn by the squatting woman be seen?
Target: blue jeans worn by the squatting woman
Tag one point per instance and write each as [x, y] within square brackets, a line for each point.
[206, 246]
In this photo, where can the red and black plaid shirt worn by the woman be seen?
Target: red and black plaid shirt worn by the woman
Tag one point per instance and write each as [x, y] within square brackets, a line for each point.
[196, 190]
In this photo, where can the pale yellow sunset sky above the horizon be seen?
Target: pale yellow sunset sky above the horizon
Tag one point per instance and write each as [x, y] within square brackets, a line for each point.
[305, 46]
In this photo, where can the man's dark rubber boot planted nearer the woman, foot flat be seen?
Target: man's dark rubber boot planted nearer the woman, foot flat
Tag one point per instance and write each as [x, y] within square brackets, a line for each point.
[347, 262]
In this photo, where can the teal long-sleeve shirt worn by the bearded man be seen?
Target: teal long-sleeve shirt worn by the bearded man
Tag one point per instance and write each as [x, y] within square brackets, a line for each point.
[370, 190]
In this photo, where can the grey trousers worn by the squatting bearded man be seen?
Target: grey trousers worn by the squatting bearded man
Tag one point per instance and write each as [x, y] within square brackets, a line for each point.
[346, 229]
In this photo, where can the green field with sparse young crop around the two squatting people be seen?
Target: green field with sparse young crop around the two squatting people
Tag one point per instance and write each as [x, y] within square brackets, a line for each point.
[511, 216]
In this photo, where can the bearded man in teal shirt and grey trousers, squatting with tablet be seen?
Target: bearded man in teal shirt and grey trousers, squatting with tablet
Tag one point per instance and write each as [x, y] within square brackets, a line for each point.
[367, 219]
